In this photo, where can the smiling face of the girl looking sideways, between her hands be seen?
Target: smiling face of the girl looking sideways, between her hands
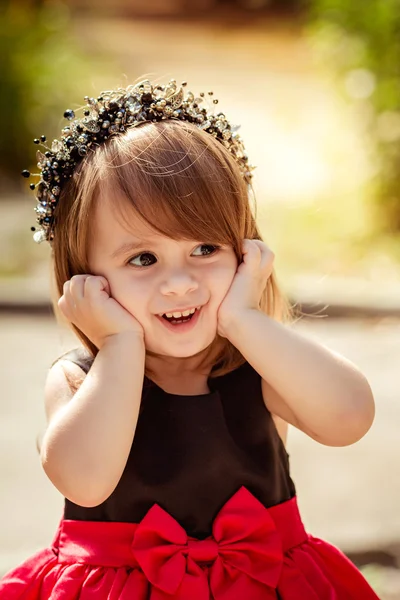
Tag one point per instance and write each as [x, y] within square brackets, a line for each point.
[152, 275]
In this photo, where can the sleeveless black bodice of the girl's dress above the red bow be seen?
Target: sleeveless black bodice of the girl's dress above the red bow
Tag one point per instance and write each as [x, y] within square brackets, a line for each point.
[190, 454]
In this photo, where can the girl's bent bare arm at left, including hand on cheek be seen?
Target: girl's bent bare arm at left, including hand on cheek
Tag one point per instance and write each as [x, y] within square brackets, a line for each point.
[90, 433]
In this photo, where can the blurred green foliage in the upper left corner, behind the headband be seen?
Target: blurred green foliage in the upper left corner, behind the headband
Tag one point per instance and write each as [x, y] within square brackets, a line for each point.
[42, 63]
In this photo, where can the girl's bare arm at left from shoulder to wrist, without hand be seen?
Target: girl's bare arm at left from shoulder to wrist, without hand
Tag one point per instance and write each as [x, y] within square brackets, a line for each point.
[90, 433]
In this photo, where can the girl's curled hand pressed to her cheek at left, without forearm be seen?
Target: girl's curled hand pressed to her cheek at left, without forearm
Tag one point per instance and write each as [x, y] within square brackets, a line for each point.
[87, 303]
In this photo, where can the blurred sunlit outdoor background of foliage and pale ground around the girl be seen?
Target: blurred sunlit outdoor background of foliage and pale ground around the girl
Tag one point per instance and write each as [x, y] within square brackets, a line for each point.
[315, 85]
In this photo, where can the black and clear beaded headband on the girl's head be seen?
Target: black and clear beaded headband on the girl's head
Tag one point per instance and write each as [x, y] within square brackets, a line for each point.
[113, 112]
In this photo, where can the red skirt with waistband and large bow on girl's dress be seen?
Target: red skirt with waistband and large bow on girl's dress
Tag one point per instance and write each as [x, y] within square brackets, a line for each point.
[254, 553]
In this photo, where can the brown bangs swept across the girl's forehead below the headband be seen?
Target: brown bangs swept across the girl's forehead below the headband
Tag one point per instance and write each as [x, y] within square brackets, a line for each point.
[178, 180]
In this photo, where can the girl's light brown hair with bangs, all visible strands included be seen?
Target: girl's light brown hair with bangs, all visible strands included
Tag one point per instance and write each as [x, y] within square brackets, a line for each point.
[184, 184]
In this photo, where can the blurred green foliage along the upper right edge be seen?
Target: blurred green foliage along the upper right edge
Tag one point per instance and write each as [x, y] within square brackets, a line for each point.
[362, 39]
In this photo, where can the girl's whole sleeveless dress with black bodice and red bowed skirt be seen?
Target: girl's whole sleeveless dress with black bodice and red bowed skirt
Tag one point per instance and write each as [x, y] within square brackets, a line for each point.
[205, 510]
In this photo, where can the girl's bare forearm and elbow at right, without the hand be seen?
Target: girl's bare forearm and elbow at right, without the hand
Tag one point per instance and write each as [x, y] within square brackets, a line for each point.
[305, 384]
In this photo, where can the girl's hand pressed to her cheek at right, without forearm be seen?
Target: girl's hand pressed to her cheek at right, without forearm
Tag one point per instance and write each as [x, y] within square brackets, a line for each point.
[248, 284]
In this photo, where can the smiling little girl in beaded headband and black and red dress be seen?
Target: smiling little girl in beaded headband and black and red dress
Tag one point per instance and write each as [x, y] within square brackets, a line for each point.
[166, 430]
